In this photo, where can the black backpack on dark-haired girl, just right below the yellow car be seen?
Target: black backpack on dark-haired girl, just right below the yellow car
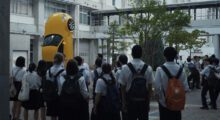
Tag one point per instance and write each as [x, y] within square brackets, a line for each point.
[70, 93]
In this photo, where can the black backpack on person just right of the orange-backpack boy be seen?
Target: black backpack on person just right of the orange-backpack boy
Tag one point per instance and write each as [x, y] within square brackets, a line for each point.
[195, 78]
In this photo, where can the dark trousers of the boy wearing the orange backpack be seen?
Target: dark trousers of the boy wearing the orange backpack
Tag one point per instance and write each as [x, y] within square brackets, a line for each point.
[166, 114]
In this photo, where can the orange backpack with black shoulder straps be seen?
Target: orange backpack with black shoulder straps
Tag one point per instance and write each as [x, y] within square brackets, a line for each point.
[175, 92]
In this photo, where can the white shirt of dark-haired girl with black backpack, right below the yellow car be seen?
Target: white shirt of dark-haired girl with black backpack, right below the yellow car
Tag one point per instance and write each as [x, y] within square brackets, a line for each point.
[82, 85]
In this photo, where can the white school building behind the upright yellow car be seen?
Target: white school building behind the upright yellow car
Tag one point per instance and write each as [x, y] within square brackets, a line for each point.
[28, 17]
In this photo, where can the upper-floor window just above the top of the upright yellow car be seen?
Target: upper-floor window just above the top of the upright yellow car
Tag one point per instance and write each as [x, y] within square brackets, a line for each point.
[53, 7]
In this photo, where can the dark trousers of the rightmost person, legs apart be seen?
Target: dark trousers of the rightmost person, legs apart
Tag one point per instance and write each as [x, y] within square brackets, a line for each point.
[204, 91]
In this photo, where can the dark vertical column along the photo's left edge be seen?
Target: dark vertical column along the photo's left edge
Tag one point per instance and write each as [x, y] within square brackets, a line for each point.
[4, 59]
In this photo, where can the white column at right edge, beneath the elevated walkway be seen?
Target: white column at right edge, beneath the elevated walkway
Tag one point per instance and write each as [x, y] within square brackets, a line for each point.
[216, 45]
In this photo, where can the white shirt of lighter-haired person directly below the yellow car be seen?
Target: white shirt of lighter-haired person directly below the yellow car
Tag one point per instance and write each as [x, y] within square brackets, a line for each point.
[54, 70]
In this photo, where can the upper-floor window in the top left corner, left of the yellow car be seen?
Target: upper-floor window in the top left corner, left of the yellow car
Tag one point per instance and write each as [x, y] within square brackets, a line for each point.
[22, 7]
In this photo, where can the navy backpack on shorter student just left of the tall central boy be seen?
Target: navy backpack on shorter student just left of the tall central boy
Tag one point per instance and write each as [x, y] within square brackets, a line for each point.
[111, 102]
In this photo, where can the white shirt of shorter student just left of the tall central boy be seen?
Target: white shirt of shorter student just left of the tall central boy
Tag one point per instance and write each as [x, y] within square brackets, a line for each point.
[101, 87]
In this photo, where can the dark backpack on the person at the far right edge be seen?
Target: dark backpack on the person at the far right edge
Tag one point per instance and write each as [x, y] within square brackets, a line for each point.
[212, 79]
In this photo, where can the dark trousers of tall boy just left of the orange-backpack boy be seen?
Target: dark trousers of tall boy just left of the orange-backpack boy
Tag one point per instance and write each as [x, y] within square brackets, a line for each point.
[138, 110]
